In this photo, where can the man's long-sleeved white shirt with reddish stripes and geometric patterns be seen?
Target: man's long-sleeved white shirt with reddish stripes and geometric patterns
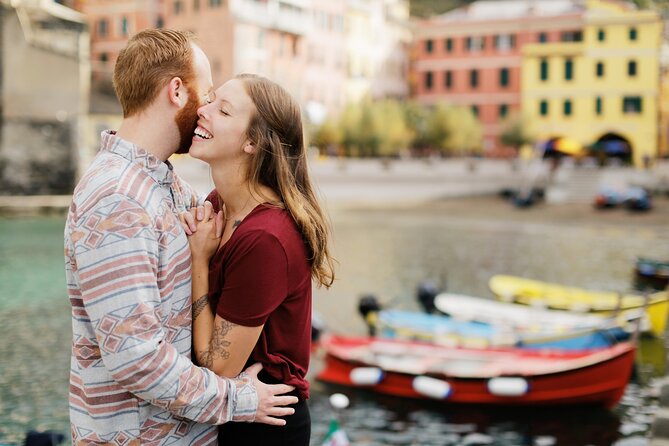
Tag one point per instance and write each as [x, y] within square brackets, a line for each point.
[128, 272]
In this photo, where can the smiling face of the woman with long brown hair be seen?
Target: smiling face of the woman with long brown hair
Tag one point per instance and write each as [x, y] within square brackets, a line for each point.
[222, 124]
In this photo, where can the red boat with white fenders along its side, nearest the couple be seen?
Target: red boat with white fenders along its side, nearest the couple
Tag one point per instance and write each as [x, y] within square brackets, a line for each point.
[475, 376]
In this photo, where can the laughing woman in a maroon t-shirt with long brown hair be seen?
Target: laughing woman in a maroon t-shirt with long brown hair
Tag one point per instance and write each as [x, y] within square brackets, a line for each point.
[274, 241]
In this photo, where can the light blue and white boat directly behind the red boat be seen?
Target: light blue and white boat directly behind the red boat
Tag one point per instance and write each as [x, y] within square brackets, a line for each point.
[449, 331]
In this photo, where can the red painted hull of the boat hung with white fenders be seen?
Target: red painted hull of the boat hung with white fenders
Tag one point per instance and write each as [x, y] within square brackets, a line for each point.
[601, 382]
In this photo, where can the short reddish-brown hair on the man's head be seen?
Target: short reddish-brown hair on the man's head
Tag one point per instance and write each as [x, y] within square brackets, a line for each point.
[147, 63]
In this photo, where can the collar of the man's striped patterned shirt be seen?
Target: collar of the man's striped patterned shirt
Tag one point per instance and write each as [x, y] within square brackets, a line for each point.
[161, 171]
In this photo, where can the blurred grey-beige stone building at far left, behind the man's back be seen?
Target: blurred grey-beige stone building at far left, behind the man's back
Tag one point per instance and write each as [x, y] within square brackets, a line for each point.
[44, 84]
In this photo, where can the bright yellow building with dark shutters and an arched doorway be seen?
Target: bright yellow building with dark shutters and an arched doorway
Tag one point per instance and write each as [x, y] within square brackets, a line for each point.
[599, 86]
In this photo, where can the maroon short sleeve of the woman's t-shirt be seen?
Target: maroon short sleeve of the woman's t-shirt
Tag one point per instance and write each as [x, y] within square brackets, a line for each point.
[255, 279]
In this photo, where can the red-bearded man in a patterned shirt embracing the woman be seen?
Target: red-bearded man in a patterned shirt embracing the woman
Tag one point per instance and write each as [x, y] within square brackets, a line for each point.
[128, 270]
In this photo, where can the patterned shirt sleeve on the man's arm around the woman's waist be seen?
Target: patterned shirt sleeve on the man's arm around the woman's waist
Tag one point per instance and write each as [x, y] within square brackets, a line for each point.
[117, 258]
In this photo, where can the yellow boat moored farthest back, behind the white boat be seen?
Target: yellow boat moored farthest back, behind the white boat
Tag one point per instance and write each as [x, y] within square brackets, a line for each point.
[559, 297]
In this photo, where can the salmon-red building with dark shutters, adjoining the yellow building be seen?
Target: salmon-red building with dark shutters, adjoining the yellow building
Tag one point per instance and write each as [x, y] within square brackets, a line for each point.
[472, 56]
